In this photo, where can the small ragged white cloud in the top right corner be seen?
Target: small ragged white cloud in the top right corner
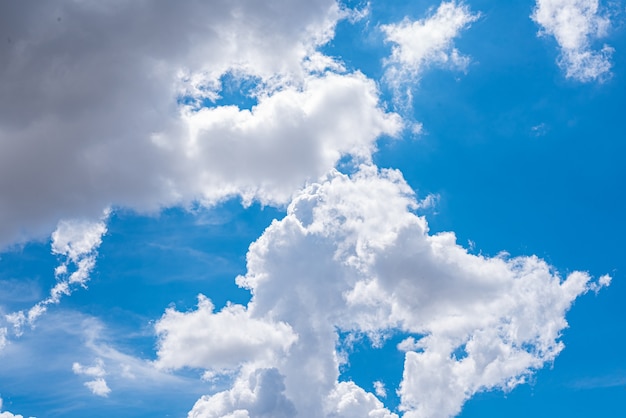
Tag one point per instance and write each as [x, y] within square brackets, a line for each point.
[575, 24]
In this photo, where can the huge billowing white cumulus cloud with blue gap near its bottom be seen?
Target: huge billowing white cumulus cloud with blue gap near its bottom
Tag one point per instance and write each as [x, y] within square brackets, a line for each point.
[352, 256]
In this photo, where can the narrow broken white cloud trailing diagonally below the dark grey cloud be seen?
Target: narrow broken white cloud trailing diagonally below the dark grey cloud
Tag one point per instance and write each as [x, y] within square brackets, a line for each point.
[76, 242]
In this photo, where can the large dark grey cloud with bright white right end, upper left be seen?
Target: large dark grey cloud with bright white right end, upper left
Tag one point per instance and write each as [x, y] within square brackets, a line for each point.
[99, 106]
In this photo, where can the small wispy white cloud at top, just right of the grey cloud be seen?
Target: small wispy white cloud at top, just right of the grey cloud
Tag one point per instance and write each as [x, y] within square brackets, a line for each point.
[426, 42]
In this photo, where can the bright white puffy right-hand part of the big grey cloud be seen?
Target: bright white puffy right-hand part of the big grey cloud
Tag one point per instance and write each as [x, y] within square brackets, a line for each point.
[291, 136]
